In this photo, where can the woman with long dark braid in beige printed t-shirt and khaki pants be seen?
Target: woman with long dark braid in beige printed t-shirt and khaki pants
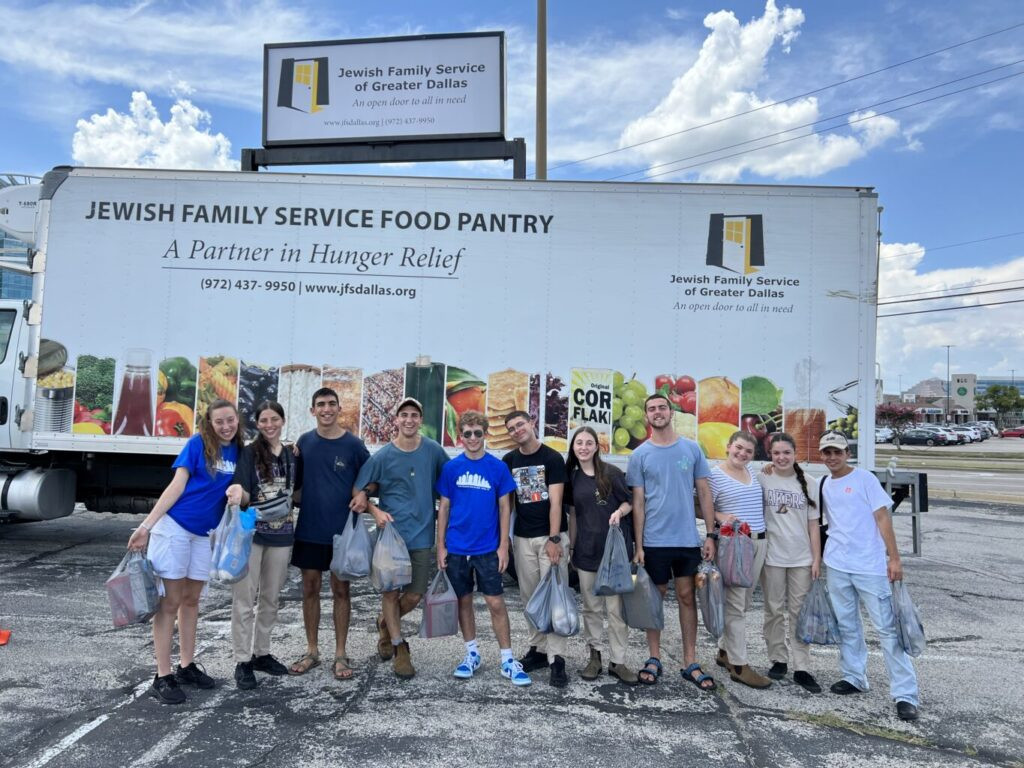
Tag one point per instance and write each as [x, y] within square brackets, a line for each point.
[793, 560]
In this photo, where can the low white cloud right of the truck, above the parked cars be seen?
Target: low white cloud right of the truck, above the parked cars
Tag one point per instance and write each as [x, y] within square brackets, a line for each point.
[914, 346]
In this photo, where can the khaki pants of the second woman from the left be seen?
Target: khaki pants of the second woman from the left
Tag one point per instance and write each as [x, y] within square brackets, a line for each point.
[268, 571]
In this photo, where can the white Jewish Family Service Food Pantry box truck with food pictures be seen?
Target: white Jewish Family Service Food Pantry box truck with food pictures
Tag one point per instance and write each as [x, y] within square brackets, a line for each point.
[157, 292]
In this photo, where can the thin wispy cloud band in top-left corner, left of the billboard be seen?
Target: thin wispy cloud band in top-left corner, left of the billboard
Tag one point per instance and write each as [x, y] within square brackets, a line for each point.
[217, 47]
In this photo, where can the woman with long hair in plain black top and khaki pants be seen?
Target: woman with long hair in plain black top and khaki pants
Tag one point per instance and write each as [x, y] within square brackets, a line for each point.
[599, 498]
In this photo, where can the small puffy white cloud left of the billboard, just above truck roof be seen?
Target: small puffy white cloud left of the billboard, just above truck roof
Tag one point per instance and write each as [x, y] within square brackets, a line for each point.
[140, 139]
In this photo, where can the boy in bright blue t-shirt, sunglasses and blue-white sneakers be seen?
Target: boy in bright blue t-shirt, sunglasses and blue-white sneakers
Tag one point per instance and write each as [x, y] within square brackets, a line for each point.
[474, 541]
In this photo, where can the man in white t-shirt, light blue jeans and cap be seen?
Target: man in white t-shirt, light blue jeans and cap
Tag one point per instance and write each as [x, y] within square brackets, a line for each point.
[861, 537]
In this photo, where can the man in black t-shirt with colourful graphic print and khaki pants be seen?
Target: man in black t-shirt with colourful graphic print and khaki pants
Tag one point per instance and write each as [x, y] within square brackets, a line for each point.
[539, 540]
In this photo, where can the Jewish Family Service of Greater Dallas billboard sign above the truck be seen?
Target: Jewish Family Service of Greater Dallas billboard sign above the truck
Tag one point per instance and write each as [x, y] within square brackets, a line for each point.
[402, 89]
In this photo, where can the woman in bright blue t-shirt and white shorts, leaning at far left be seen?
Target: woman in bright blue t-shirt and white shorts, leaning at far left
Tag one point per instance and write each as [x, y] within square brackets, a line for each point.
[178, 534]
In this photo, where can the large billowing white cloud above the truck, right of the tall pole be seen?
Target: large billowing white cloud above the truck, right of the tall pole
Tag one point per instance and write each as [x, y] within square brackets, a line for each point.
[722, 82]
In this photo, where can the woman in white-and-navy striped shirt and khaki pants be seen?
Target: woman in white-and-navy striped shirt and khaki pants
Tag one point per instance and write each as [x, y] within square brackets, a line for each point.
[738, 500]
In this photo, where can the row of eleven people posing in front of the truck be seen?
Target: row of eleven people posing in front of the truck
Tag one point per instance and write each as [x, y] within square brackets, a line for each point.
[563, 511]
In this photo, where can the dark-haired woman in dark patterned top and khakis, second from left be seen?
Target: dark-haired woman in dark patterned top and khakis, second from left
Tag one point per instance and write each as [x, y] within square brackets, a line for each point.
[265, 480]
